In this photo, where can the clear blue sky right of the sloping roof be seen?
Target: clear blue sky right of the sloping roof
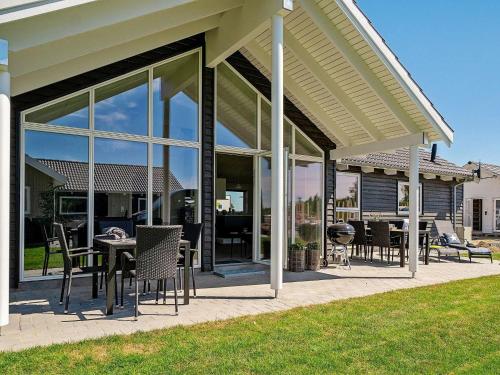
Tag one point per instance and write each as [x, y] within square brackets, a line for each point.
[452, 50]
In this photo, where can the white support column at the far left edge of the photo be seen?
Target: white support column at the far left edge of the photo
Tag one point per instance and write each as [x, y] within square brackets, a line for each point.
[4, 183]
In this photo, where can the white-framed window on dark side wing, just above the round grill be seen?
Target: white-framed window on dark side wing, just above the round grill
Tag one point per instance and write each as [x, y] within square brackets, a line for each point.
[347, 191]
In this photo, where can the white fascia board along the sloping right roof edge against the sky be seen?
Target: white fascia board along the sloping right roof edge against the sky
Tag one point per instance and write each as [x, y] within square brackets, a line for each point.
[373, 38]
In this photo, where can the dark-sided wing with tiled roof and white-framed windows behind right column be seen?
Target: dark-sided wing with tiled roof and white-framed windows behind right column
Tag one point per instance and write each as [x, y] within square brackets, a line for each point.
[376, 186]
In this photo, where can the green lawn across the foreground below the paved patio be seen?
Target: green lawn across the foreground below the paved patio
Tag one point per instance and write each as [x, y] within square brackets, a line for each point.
[447, 328]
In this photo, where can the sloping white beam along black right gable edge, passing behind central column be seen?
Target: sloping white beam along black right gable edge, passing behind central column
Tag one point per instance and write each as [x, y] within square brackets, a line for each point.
[299, 93]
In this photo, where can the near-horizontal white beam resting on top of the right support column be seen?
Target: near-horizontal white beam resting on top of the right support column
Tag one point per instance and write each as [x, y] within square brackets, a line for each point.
[417, 139]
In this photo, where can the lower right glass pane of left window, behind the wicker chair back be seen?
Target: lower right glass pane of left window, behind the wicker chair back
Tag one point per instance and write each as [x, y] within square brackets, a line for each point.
[175, 185]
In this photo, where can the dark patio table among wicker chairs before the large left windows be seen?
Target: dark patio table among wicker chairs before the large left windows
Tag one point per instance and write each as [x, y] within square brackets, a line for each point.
[111, 247]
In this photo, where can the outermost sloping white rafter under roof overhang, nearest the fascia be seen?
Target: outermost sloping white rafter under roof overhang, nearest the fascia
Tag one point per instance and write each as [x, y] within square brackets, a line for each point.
[335, 36]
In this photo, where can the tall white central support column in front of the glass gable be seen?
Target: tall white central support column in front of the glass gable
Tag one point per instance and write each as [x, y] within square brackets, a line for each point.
[277, 163]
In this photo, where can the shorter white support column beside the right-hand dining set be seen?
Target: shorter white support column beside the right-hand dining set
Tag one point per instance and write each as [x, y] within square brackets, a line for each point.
[414, 196]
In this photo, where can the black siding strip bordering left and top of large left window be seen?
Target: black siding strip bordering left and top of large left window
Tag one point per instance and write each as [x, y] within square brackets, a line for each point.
[62, 88]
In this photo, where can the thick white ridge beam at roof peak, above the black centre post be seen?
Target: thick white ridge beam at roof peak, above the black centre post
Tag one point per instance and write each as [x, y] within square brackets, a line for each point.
[238, 27]
